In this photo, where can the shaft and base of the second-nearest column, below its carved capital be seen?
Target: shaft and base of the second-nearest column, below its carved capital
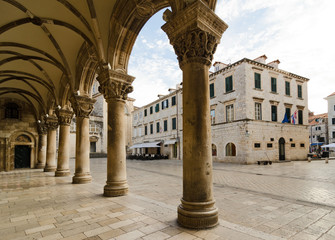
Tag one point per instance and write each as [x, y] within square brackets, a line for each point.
[116, 151]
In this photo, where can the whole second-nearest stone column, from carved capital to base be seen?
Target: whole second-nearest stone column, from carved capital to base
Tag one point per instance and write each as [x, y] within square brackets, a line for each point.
[115, 87]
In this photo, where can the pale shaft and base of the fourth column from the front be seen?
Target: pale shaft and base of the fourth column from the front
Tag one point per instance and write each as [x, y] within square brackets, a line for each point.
[63, 151]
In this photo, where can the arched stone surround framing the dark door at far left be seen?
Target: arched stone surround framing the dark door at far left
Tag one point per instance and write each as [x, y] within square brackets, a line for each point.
[22, 138]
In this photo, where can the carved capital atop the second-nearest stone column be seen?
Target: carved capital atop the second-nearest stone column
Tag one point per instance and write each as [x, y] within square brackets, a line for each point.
[114, 84]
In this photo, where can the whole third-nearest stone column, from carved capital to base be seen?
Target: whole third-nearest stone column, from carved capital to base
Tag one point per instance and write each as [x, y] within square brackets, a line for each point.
[83, 107]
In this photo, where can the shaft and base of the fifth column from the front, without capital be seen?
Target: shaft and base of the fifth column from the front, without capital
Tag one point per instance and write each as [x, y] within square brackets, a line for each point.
[51, 151]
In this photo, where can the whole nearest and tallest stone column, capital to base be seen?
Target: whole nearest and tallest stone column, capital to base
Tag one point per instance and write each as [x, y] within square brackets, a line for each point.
[194, 33]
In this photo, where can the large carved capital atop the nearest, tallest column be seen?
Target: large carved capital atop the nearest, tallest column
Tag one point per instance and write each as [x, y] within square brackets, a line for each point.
[194, 33]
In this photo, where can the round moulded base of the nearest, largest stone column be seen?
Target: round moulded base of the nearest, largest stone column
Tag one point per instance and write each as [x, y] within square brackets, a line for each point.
[198, 215]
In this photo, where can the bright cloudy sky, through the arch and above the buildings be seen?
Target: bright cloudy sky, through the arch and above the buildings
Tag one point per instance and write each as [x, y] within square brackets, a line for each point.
[300, 33]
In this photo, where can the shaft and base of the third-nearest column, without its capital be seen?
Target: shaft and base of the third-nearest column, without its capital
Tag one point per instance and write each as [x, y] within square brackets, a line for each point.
[82, 171]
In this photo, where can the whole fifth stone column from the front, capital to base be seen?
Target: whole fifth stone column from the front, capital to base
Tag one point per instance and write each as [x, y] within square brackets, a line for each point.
[52, 125]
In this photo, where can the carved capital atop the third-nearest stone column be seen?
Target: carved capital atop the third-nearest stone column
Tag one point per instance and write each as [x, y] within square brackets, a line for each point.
[82, 106]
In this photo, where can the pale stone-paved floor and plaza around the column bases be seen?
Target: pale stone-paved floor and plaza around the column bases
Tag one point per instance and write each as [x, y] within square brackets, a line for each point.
[291, 200]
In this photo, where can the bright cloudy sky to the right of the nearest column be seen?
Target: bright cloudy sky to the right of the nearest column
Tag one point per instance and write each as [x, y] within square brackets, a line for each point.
[297, 32]
